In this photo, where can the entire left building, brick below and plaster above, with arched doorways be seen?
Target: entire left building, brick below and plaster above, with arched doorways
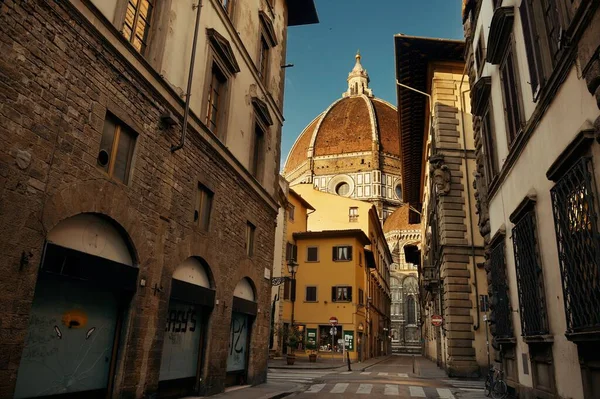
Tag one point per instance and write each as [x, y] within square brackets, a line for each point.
[113, 228]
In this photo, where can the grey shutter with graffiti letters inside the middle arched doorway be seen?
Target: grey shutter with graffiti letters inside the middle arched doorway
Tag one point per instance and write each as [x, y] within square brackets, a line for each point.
[182, 342]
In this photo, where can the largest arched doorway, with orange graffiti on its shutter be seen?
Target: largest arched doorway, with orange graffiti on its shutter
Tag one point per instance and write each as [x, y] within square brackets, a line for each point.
[85, 281]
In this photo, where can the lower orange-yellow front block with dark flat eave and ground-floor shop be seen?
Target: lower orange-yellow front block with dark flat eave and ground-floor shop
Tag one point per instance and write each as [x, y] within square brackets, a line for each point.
[330, 282]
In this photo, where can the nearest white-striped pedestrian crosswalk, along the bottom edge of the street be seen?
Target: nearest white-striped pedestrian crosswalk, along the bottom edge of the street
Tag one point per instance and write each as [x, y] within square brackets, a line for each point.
[381, 389]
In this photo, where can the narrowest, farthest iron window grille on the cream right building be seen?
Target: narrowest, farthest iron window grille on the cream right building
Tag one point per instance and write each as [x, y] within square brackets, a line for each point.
[501, 305]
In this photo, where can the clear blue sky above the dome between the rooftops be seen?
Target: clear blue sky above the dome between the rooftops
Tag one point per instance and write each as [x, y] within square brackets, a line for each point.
[323, 54]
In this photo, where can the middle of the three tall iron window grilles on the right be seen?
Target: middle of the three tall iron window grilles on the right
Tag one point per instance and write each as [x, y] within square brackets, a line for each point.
[530, 282]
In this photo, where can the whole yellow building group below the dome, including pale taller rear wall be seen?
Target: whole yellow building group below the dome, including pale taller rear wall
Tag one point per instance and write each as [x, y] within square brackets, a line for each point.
[365, 314]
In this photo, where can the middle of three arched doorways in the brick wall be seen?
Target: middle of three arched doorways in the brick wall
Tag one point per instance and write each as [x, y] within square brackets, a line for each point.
[191, 302]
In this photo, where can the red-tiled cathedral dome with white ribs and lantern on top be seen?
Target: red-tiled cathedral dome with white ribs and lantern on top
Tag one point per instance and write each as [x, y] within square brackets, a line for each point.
[356, 123]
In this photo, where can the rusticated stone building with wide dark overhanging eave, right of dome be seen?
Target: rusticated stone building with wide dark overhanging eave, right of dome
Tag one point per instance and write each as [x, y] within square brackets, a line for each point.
[437, 170]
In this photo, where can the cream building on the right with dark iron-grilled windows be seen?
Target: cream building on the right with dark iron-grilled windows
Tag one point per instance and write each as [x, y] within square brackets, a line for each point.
[535, 77]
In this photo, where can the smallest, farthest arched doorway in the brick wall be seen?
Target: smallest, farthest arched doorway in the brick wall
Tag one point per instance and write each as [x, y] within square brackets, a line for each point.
[242, 317]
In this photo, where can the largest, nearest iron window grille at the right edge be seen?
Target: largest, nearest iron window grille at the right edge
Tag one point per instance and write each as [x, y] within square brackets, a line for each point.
[576, 224]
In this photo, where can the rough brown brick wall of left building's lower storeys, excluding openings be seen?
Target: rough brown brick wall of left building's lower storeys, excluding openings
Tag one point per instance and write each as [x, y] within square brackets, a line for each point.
[57, 81]
